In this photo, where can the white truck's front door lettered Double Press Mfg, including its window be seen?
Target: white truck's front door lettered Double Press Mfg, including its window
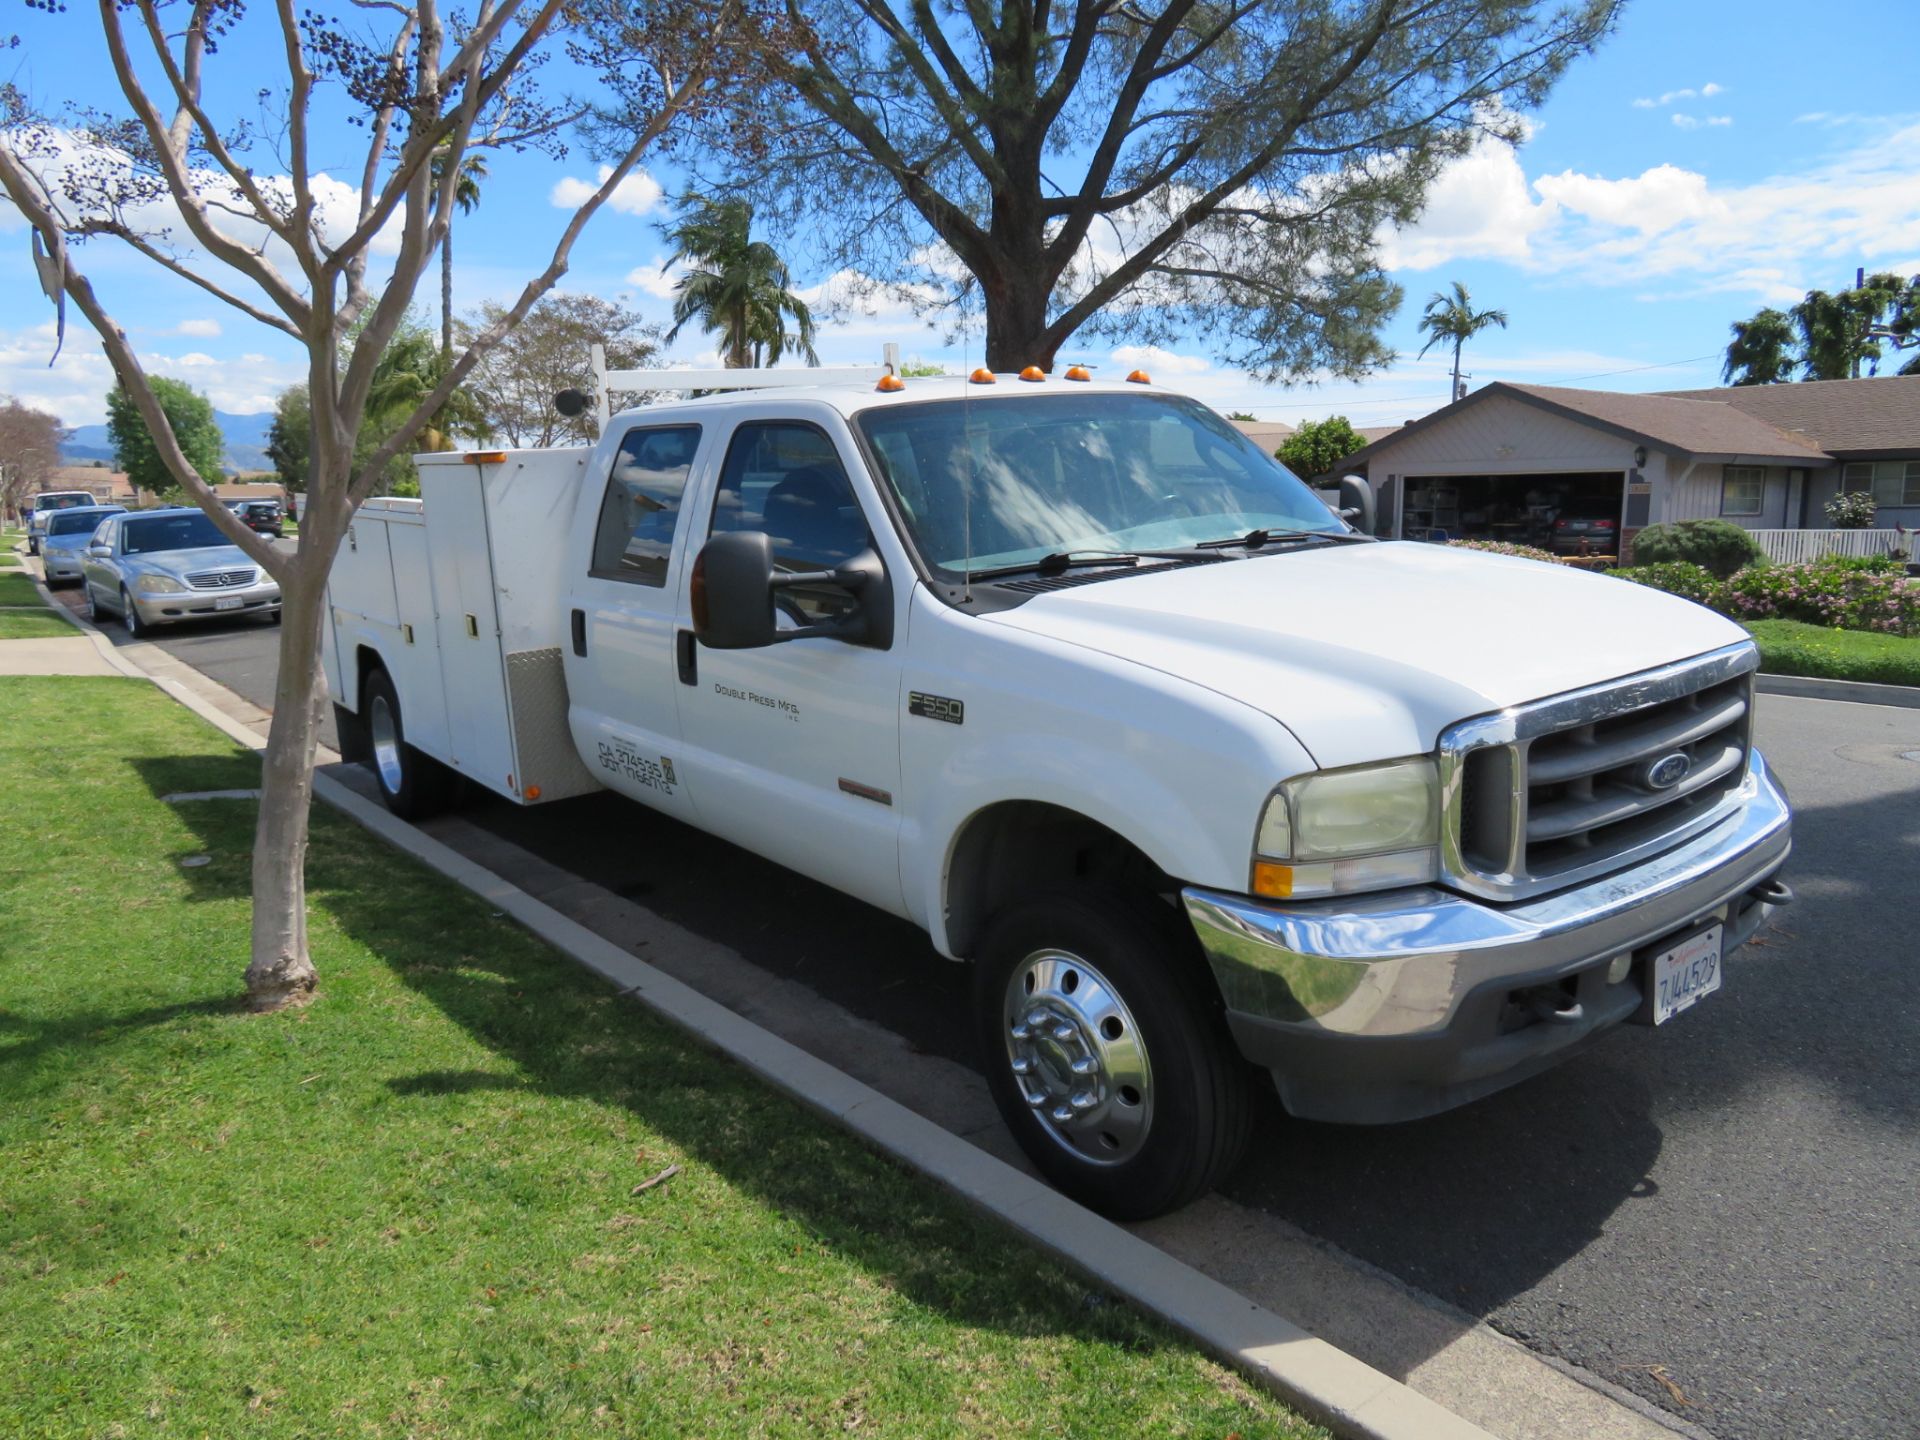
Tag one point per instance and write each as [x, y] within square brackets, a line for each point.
[796, 750]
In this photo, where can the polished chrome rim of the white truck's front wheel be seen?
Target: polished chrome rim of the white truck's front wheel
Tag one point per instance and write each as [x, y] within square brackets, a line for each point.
[1078, 1057]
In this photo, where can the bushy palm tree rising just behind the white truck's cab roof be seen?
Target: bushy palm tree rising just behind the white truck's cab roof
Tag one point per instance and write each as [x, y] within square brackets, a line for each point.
[736, 285]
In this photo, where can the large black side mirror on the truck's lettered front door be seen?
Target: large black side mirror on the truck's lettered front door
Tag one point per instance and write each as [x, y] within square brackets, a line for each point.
[732, 596]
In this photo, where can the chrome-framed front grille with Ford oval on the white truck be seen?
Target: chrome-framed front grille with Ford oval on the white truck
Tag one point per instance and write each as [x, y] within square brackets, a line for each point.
[1562, 790]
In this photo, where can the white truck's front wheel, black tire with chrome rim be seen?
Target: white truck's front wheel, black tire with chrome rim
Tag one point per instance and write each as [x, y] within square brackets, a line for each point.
[1107, 1051]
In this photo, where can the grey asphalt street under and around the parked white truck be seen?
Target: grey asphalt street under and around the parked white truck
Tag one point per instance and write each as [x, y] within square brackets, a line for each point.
[1719, 1214]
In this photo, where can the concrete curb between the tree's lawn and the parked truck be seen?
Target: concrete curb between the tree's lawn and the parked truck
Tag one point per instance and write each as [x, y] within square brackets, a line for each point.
[1345, 1395]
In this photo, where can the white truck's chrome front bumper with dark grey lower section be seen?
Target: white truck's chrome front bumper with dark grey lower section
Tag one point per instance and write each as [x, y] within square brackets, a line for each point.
[1399, 1005]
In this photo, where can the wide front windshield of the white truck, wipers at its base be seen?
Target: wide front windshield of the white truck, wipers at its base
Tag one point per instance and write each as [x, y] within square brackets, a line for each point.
[1003, 483]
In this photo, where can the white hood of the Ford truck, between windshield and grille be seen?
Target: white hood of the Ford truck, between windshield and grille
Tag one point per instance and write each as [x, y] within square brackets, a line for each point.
[1370, 652]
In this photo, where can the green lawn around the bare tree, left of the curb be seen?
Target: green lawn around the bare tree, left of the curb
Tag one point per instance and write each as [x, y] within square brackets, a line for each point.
[410, 1209]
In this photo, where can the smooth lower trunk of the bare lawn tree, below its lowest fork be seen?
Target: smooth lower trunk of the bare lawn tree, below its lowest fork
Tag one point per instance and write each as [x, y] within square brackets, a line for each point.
[281, 971]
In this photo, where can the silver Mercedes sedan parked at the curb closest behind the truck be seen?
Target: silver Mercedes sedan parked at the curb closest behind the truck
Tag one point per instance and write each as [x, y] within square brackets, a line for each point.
[162, 567]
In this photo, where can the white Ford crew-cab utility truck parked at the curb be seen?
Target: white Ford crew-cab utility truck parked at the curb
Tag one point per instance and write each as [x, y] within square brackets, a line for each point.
[1201, 779]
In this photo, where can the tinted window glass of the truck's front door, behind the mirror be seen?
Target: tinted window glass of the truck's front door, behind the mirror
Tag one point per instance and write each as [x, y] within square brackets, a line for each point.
[788, 481]
